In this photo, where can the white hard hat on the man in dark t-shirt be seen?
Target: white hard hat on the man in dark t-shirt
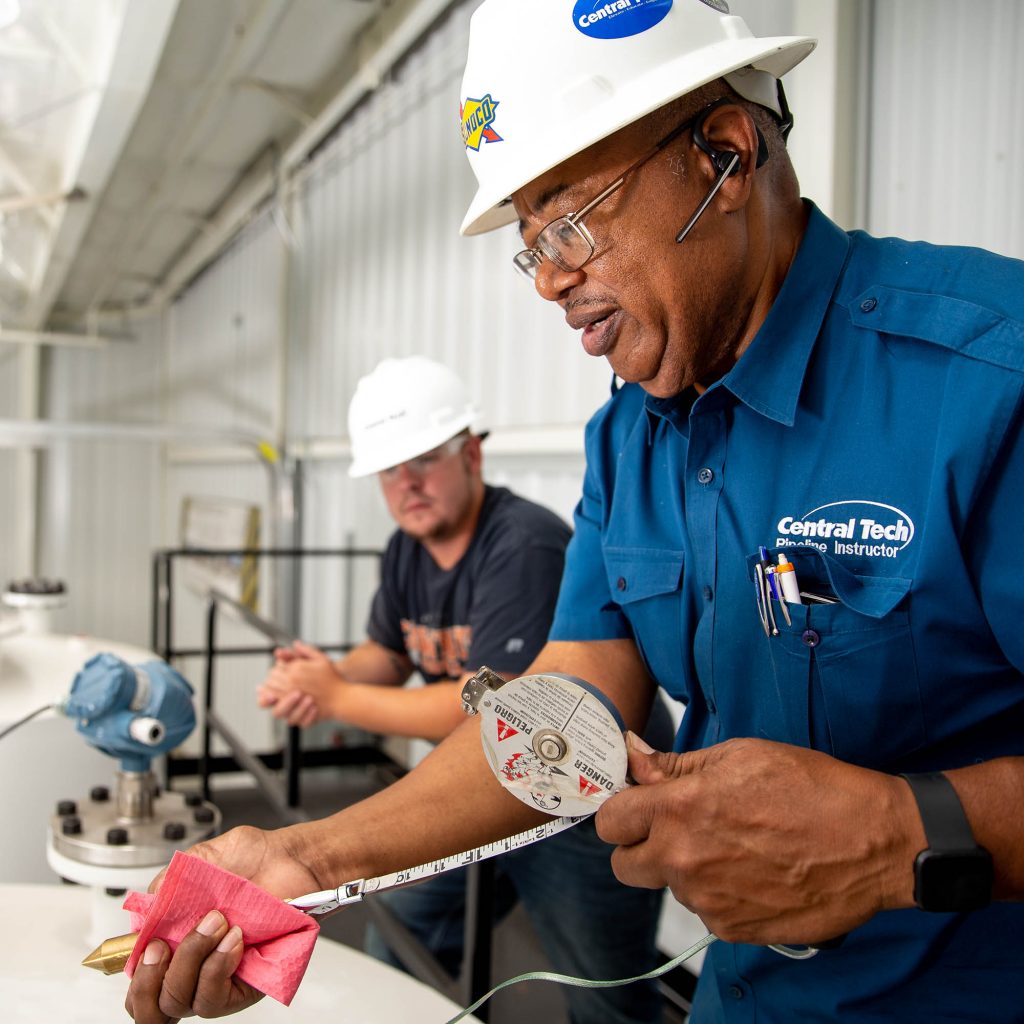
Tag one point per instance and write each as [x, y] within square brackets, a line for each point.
[403, 409]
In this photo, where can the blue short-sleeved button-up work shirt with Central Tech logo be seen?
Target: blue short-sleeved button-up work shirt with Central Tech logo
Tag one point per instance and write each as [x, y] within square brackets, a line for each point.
[872, 433]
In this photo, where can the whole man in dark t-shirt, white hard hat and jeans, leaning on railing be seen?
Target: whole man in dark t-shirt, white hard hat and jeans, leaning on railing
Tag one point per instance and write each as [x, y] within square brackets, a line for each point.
[471, 578]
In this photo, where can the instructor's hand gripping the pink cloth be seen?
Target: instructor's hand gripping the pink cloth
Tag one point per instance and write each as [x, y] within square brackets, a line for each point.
[198, 979]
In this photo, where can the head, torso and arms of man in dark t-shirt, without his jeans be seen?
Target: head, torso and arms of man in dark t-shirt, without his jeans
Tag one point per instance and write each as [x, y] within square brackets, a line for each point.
[471, 577]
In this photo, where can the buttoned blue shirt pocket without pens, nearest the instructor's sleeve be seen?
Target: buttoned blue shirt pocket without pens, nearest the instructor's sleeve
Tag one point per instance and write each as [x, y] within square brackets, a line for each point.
[645, 583]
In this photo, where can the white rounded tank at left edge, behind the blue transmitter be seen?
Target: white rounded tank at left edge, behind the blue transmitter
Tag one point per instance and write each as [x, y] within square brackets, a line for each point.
[46, 760]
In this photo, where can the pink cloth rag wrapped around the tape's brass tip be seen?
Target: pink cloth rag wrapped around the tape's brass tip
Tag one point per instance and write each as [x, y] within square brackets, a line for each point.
[279, 940]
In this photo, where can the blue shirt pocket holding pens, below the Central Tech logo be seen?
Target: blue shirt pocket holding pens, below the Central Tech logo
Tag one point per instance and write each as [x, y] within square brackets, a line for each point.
[846, 673]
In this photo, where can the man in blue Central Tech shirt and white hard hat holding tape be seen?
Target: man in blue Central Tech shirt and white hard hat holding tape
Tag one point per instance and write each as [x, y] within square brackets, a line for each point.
[792, 391]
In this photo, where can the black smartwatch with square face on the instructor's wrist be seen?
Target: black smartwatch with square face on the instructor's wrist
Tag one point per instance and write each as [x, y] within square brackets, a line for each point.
[954, 873]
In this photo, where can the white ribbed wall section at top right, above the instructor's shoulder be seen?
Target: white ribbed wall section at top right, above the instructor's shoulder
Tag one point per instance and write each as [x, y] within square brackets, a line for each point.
[947, 146]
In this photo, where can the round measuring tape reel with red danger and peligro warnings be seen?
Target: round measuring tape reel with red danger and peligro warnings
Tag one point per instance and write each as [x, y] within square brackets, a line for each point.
[551, 740]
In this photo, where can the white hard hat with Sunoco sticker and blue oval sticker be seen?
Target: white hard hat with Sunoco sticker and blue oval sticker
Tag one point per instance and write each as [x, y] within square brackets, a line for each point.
[546, 79]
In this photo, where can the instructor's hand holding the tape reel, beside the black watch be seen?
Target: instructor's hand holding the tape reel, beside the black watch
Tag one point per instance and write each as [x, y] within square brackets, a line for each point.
[766, 843]
